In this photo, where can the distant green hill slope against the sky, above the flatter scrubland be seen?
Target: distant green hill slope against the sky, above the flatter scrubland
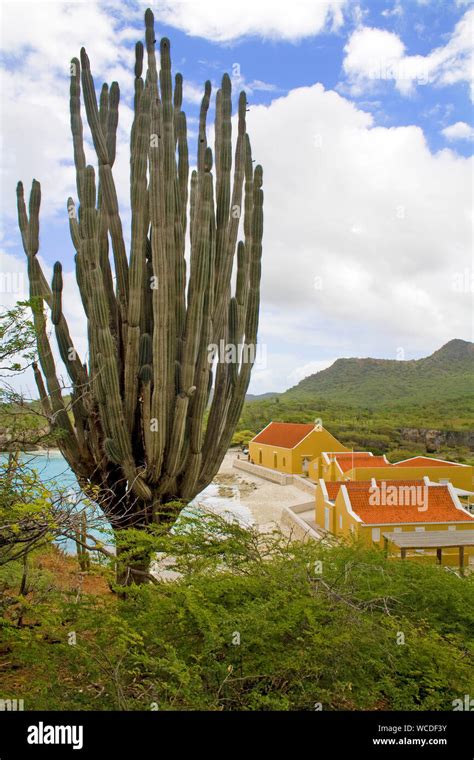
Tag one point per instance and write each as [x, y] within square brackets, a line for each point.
[448, 374]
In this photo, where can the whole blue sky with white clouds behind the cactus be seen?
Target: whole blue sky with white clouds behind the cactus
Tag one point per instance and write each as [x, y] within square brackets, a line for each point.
[361, 115]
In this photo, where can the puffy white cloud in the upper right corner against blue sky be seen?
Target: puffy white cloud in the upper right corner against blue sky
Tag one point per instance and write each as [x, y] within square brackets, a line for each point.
[374, 55]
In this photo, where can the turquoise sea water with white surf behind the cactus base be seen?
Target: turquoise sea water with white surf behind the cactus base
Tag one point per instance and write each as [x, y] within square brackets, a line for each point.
[57, 476]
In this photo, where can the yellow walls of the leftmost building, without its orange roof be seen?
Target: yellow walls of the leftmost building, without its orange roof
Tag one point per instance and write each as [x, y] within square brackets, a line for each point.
[311, 446]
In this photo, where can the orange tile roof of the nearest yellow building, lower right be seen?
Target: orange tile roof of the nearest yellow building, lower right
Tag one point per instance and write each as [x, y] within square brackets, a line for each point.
[440, 507]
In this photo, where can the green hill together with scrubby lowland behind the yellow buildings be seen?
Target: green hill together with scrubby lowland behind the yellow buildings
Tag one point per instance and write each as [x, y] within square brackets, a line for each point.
[390, 407]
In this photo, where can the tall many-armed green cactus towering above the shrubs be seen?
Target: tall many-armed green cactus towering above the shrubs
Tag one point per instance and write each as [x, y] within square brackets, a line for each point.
[135, 430]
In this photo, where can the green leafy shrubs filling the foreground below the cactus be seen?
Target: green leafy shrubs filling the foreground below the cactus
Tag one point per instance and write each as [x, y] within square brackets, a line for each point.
[253, 622]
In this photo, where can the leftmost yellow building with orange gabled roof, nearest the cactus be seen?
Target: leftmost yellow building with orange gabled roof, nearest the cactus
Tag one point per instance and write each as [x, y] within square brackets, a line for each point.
[290, 446]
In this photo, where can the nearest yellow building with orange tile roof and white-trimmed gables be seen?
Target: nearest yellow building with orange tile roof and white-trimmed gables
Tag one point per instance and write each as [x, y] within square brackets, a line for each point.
[374, 509]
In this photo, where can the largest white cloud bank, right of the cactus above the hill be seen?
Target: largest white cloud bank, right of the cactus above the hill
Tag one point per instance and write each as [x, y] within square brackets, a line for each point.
[367, 233]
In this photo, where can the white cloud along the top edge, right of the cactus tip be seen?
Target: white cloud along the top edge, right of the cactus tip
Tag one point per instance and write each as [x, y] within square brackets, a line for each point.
[273, 19]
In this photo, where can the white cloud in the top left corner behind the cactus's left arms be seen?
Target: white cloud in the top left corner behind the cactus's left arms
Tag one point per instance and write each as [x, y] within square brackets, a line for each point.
[35, 92]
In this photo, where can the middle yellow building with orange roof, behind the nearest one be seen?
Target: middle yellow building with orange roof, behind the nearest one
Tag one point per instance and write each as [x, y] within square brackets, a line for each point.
[363, 465]
